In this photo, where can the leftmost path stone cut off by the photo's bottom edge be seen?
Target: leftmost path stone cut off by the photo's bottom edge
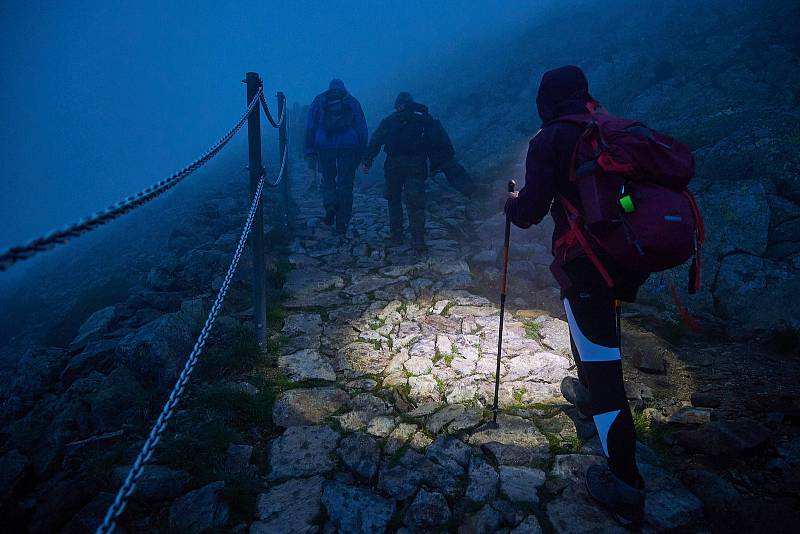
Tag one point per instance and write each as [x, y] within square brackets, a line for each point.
[291, 507]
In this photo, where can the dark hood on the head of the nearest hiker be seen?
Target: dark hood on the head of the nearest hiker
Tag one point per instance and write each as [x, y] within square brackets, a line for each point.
[562, 91]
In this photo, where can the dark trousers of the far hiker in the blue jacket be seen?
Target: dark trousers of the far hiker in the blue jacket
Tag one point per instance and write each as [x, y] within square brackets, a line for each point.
[338, 174]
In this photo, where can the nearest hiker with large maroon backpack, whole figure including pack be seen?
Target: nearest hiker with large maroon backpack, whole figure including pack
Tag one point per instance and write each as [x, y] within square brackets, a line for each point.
[617, 193]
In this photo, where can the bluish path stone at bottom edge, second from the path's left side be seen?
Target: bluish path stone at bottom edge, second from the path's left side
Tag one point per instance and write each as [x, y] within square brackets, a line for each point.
[356, 510]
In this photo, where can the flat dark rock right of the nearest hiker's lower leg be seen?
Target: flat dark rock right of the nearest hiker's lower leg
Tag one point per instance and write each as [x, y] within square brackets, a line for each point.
[724, 437]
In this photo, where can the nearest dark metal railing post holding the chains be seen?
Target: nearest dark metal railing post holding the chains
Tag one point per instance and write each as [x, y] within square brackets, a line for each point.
[257, 234]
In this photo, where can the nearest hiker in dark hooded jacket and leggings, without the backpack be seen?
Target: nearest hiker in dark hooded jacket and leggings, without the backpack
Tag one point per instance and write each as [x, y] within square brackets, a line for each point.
[591, 306]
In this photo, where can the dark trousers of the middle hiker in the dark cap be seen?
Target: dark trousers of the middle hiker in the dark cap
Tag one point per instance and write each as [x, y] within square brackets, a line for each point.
[405, 183]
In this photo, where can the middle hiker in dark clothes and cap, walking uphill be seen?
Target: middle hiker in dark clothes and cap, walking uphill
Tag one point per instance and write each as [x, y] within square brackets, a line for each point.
[404, 137]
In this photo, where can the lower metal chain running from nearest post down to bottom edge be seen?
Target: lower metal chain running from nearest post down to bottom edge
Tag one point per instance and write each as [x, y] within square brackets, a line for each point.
[129, 486]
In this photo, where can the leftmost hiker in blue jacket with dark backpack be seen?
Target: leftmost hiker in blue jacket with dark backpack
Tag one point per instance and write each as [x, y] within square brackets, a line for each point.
[336, 134]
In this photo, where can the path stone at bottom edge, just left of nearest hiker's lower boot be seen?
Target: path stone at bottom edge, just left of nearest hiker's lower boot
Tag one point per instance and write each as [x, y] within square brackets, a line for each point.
[574, 512]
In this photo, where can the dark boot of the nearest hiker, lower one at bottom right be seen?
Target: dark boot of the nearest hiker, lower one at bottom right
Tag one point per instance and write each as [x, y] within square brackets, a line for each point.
[625, 502]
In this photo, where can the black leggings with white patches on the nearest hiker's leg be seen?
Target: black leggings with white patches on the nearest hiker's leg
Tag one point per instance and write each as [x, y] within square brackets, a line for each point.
[594, 332]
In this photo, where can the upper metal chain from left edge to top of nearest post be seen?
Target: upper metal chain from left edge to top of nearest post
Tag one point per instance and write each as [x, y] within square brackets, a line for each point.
[23, 252]
